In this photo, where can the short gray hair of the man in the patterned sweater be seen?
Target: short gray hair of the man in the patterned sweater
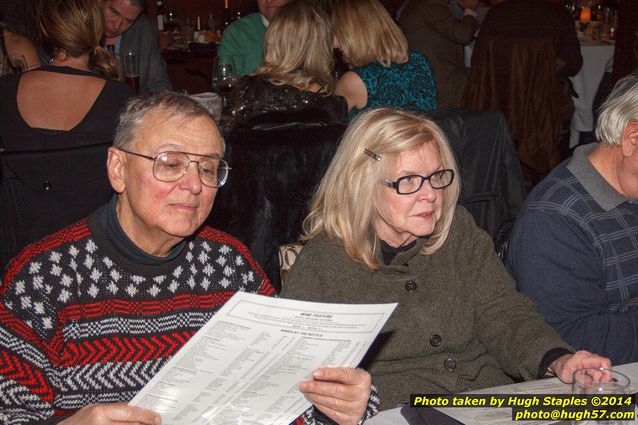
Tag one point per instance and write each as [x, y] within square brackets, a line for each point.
[169, 104]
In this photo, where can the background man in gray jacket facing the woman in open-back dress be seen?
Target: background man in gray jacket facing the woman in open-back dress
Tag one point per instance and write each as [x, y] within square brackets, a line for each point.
[126, 29]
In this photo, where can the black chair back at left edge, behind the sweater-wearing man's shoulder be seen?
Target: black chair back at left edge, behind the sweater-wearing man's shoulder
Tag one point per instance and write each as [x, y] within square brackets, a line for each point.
[42, 191]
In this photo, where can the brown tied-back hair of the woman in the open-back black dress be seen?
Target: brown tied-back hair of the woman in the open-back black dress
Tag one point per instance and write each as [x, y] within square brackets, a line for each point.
[76, 27]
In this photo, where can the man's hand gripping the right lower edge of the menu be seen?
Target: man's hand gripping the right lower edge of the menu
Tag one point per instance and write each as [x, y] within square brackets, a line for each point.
[340, 393]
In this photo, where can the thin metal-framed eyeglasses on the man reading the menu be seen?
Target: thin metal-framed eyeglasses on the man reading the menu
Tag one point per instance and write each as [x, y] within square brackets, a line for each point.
[172, 166]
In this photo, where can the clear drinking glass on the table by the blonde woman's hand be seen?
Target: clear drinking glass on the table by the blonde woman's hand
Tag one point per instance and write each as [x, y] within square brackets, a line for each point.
[599, 381]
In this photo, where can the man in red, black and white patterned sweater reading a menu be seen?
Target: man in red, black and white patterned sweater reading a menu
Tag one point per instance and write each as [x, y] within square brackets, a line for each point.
[89, 314]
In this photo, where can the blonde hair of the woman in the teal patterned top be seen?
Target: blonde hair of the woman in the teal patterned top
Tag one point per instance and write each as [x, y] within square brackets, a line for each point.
[367, 33]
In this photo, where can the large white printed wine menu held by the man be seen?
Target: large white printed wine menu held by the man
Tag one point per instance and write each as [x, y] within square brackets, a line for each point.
[245, 364]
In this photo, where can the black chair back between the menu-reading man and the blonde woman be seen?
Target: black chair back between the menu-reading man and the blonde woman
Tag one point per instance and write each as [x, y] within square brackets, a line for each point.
[275, 171]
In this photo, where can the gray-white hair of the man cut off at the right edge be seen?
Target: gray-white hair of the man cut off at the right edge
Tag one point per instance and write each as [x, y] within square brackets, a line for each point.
[619, 109]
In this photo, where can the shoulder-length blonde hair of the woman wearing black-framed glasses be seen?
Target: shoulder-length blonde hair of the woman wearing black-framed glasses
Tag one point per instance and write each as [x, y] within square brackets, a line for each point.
[344, 204]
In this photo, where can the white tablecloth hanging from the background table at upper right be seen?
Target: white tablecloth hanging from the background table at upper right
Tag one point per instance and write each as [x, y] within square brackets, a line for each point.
[596, 60]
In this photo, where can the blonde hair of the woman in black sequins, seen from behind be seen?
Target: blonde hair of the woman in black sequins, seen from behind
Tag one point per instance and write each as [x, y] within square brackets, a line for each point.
[298, 48]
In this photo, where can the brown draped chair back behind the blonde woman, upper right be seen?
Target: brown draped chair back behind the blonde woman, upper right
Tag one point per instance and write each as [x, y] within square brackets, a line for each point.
[518, 76]
